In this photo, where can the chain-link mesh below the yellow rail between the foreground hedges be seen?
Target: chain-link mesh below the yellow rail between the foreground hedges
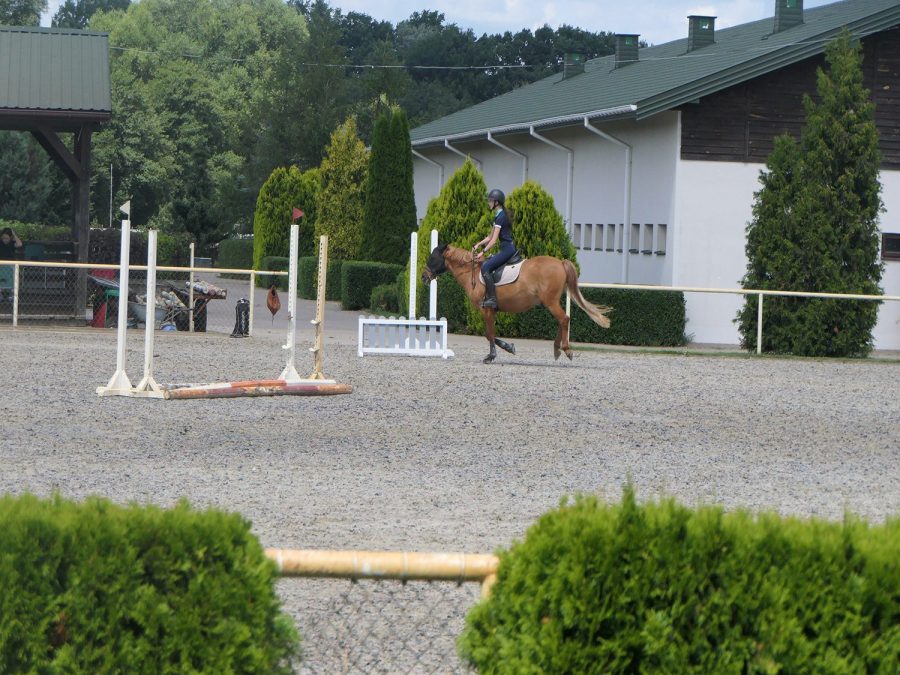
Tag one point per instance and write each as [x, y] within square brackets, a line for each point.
[379, 626]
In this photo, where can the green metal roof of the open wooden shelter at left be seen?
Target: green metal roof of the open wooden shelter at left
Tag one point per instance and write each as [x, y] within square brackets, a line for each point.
[54, 69]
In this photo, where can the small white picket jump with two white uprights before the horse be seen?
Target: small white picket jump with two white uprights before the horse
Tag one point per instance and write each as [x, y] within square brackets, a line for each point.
[407, 336]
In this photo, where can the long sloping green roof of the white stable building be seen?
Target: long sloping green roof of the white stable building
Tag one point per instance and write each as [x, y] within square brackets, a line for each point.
[664, 77]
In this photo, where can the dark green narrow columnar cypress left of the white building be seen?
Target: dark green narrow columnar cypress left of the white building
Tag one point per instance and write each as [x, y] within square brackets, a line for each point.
[390, 209]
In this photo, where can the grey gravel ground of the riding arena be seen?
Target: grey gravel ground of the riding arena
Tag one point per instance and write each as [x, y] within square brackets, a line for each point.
[436, 455]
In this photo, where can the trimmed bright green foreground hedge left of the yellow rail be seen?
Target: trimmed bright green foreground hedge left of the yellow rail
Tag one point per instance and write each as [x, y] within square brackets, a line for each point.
[99, 588]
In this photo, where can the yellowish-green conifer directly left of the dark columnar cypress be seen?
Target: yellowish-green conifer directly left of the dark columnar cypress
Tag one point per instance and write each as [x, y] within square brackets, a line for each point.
[341, 198]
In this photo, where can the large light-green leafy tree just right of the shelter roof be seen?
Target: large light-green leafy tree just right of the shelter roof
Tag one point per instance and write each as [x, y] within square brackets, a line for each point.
[188, 82]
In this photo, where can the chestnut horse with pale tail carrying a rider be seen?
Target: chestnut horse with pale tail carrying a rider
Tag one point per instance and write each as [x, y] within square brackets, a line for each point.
[541, 281]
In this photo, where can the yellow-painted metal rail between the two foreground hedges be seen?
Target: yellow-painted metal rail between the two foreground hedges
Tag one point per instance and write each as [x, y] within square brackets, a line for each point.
[401, 565]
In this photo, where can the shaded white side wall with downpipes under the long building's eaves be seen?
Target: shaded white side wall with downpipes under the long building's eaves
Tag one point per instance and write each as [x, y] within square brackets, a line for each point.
[598, 184]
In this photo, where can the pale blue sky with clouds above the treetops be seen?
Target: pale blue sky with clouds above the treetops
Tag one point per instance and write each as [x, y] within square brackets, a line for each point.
[656, 21]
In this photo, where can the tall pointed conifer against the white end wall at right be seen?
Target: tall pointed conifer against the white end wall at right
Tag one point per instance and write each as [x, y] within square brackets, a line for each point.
[815, 224]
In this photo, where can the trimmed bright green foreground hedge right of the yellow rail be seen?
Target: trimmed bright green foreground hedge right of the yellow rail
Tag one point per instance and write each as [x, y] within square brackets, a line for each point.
[661, 588]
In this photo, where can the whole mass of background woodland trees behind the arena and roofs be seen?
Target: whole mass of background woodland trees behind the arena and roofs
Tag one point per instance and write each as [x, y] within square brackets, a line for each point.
[209, 96]
